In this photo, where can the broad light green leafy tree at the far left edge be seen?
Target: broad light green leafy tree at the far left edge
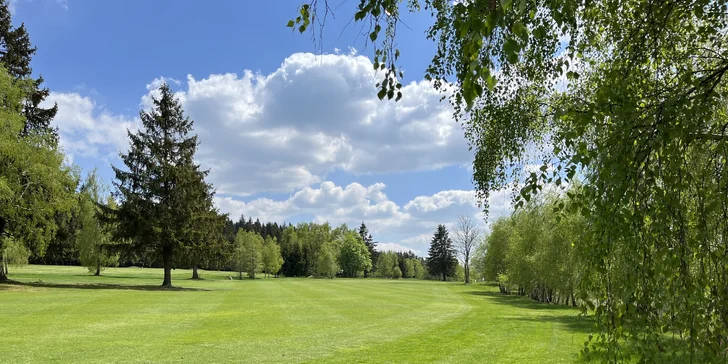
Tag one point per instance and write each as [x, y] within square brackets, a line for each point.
[35, 185]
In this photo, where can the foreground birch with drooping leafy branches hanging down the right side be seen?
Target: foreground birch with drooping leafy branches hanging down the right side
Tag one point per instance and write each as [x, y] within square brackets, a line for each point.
[641, 120]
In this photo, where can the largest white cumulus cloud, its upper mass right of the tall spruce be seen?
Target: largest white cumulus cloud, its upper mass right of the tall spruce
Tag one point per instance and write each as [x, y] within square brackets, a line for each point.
[313, 115]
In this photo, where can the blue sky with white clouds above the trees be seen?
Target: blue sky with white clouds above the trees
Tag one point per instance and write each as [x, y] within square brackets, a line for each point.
[290, 129]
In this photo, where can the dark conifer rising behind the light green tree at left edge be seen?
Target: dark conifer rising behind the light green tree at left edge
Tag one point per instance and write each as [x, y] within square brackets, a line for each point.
[16, 53]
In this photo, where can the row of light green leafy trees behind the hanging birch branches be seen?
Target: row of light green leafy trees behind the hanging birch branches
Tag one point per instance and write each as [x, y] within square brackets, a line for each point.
[533, 252]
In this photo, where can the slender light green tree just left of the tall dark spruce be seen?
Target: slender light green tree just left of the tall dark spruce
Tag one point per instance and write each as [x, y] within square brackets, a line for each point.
[93, 238]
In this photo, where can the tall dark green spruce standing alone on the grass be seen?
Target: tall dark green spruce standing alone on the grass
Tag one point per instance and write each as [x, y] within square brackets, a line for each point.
[162, 193]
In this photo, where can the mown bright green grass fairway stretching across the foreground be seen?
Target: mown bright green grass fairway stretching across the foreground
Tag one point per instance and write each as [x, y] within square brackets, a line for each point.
[122, 317]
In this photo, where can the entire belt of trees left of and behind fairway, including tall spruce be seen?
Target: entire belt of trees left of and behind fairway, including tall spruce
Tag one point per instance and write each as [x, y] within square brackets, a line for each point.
[159, 210]
